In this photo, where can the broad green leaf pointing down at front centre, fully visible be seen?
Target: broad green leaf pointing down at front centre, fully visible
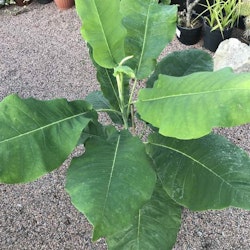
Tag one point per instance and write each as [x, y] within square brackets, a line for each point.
[111, 181]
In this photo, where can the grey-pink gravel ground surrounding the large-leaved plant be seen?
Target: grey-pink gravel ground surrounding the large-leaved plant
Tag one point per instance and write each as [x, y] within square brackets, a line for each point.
[43, 55]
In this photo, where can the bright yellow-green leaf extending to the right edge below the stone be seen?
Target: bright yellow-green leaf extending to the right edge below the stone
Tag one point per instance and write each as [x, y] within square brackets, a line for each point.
[190, 106]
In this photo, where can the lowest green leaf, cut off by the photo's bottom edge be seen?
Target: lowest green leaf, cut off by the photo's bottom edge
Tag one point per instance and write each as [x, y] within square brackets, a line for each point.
[155, 226]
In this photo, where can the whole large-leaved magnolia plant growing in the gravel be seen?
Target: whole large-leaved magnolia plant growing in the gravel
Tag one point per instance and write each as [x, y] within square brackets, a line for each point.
[133, 186]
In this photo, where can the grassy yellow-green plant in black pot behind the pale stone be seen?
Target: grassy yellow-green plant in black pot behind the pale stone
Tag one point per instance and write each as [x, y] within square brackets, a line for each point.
[218, 25]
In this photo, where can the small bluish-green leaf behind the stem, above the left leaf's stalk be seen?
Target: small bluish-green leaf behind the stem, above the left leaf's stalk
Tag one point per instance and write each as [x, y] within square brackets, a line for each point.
[100, 103]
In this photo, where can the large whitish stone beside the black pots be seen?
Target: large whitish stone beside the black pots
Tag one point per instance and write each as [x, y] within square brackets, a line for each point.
[232, 53]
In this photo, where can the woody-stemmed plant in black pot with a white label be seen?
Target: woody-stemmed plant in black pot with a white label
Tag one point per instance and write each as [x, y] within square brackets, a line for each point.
[189, 25]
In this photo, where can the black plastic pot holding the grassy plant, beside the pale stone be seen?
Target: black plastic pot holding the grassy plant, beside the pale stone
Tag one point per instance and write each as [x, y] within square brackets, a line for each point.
[212, 39]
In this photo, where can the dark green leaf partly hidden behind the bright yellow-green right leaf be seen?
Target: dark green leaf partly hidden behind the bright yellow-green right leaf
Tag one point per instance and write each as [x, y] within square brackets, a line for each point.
[182, 63]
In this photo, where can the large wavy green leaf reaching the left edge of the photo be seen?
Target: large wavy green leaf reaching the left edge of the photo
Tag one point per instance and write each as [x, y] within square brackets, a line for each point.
[37, 136]
